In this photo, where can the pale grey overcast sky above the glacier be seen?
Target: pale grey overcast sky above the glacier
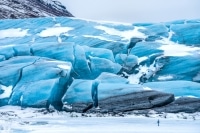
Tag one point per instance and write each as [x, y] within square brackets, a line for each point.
[134, 10]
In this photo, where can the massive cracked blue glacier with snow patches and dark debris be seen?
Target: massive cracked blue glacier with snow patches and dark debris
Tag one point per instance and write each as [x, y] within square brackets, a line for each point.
[86, 66]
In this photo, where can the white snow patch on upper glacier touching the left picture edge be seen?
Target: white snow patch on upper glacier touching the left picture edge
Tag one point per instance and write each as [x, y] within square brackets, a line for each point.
[13, 33]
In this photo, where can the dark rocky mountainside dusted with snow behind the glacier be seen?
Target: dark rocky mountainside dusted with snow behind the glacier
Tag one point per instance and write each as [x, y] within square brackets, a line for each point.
[31, 8]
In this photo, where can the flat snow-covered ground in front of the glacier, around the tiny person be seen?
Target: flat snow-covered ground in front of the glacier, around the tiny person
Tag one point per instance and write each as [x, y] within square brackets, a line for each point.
[30, 120]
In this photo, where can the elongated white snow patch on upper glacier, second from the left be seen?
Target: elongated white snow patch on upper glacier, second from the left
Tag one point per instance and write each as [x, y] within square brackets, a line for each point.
[54, 31]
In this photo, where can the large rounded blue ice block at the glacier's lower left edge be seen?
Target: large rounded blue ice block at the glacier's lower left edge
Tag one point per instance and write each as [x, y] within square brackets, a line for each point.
[35, 80]
